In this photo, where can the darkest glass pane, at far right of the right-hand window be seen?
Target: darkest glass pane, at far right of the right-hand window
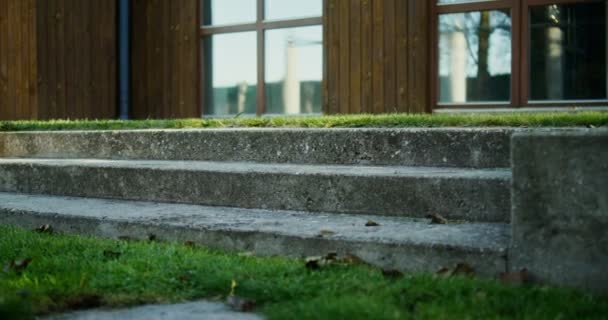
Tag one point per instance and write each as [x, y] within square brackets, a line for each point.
[568, 52]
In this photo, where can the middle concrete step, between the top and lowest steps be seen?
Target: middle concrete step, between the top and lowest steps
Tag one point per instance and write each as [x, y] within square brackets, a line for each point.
[456, 193]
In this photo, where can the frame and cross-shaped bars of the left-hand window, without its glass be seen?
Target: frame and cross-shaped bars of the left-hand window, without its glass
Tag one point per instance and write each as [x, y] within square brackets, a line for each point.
[259, 26]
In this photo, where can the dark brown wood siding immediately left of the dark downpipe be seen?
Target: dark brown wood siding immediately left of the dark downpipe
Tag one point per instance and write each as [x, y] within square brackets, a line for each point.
[76, 59]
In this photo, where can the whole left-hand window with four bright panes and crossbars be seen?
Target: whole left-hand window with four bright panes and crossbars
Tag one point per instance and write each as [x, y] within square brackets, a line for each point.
[261, 56]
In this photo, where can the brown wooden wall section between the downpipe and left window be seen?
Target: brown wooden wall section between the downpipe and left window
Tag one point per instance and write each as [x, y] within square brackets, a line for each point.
[164, 52]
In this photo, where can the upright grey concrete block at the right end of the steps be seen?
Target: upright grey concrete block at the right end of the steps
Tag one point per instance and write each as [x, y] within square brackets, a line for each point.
[560, 207]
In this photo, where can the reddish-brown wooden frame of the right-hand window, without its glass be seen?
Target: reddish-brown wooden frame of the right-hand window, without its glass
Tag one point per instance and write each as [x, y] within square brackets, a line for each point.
[519, 53]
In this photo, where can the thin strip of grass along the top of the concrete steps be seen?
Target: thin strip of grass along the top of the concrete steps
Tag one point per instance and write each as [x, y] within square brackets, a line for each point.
[556, 119]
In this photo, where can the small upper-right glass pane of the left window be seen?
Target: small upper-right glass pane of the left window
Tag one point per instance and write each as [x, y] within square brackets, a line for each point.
[288, 9]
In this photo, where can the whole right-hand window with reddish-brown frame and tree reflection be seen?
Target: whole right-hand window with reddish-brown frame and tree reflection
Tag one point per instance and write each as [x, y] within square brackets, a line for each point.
[520, 52]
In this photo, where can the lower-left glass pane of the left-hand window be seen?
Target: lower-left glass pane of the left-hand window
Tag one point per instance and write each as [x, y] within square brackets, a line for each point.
[230, 73]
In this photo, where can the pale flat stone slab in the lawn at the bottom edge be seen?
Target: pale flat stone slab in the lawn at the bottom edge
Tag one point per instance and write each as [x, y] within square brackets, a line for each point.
[183, 311]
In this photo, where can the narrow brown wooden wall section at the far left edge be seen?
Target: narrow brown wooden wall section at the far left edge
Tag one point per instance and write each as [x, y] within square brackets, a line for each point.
[18, 85]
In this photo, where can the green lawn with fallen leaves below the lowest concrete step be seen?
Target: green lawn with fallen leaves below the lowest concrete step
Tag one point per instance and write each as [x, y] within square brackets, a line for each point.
[69, 272]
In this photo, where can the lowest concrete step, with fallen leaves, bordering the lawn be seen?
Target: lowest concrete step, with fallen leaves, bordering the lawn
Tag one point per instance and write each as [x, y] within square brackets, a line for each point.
[397, 243]
